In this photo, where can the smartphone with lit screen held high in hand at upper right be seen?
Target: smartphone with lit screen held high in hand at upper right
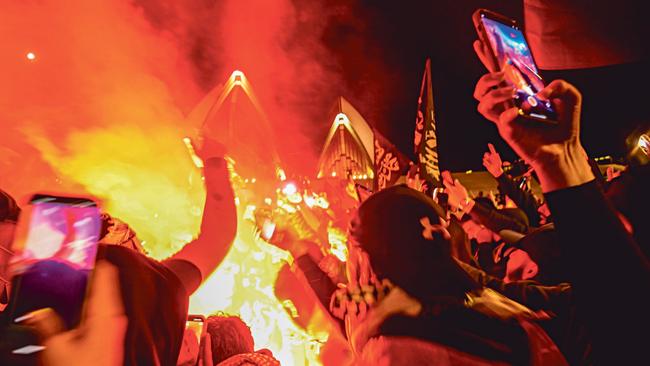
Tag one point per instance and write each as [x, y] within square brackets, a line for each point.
[510, 53]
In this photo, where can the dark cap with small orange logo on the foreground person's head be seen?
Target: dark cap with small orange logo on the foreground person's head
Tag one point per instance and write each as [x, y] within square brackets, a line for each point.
[408, 241]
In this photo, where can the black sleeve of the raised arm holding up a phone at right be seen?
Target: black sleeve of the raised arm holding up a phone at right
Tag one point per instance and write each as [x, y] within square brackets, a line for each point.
[609, 275]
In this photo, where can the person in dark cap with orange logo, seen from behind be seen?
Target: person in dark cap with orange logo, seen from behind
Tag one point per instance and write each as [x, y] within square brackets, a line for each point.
[409, 302]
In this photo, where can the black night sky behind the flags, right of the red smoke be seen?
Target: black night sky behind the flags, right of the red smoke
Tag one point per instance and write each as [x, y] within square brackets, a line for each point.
[382, 47]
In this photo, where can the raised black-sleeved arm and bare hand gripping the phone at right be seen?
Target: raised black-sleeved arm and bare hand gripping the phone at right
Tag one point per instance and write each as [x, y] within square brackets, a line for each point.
[609, 275]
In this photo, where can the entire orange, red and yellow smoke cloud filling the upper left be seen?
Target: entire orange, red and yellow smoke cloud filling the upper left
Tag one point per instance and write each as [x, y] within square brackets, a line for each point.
[95, 96]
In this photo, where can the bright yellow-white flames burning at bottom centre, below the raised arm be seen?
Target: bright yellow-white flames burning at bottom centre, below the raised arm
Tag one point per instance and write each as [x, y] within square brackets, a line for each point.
[244, 285]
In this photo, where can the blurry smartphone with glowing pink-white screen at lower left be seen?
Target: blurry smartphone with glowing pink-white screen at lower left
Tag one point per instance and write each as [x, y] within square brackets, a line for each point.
[54, 255]
